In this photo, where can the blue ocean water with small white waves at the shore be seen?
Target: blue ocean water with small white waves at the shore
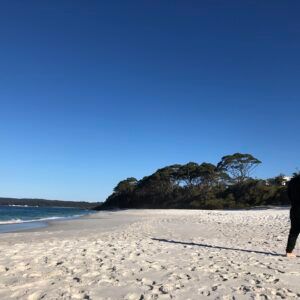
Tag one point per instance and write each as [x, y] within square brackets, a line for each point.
[14, 218]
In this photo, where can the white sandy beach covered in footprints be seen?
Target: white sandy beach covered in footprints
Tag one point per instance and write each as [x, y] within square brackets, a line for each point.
[153, 254]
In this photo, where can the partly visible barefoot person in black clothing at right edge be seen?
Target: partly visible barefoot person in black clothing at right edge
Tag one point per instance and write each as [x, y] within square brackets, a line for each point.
[294, 196]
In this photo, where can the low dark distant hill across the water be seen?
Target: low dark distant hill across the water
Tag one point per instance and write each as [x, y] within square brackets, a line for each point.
[48, 203]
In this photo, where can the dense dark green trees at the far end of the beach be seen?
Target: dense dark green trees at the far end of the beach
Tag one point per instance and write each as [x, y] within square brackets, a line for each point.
[203, 186]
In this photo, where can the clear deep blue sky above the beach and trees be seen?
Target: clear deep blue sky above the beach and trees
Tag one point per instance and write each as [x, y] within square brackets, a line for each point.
[92, 92]
